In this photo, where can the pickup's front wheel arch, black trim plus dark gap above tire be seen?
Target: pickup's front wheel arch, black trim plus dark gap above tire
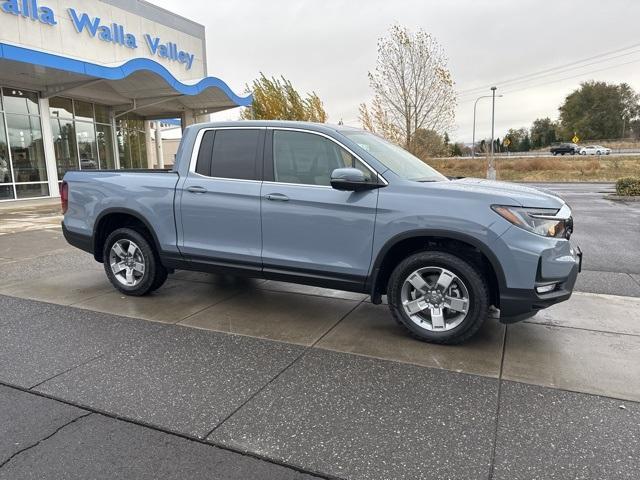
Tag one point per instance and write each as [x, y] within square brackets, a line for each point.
[402, 245]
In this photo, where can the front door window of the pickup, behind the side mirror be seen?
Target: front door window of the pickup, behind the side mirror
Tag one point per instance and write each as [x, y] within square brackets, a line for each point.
[309, 159]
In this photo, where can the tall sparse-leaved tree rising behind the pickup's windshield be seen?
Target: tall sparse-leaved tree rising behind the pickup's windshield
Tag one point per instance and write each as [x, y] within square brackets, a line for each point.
[412, 85]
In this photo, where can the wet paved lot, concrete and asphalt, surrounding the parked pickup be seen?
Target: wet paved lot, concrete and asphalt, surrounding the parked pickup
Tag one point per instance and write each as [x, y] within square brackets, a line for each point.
[235, 378]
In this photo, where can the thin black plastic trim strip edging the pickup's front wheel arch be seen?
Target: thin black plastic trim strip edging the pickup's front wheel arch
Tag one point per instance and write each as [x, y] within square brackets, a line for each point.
[463, 237]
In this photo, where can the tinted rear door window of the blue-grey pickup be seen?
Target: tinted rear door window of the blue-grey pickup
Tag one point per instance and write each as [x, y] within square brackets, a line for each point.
[230, 154]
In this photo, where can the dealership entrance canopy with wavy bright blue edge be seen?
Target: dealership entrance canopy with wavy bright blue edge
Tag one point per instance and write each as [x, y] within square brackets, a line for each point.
[141, 85]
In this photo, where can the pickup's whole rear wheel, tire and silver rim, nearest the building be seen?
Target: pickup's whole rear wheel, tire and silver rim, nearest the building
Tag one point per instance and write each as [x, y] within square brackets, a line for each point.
[131, 264]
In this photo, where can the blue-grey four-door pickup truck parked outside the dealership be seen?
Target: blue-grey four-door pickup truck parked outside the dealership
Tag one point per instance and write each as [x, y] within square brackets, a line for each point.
[335, 207]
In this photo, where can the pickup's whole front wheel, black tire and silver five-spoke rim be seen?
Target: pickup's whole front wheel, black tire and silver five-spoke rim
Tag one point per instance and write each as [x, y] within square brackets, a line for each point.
[438, 297]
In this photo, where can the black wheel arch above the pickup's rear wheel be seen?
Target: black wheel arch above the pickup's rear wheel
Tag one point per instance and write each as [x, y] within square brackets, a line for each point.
[113, 218]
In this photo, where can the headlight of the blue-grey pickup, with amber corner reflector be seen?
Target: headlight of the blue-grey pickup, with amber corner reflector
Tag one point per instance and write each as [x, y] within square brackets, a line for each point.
[548, 222]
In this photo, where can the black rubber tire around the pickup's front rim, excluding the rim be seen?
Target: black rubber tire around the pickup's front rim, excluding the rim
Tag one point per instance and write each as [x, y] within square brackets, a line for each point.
[478, 309]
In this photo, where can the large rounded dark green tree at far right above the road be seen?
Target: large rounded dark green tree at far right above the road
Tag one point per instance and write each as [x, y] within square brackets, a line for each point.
[598, 110]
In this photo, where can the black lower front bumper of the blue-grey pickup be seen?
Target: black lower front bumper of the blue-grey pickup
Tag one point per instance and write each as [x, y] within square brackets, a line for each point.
[519, 304]
